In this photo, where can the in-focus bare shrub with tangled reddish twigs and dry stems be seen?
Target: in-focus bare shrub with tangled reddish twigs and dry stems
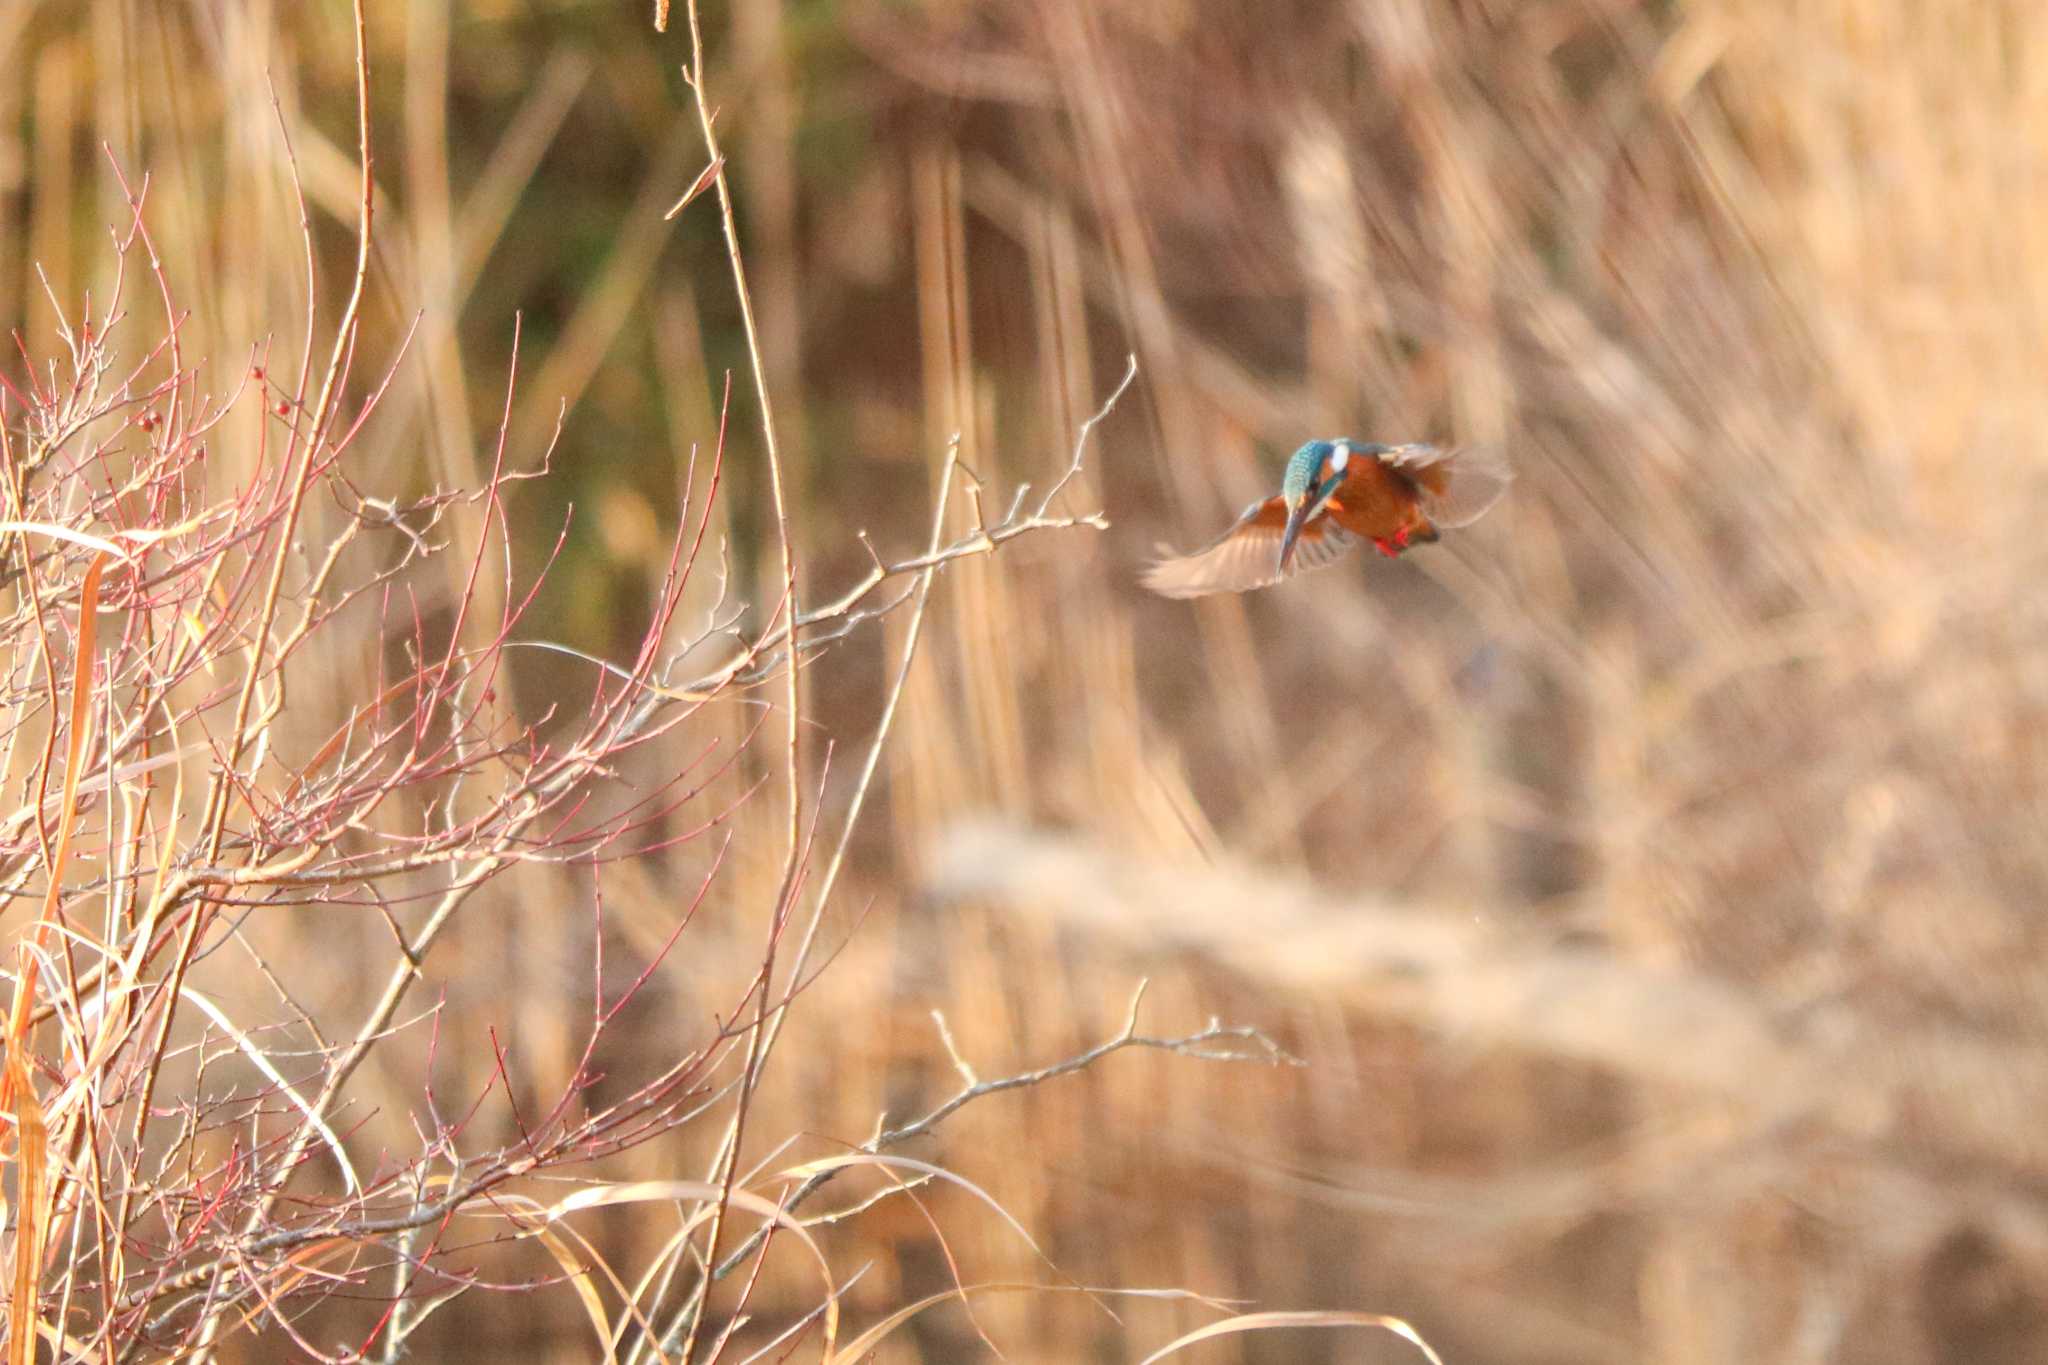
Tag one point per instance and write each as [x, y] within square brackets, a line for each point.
[280, 695]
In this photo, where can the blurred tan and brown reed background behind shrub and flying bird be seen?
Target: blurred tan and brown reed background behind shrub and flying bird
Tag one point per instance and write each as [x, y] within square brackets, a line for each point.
[1652, 877]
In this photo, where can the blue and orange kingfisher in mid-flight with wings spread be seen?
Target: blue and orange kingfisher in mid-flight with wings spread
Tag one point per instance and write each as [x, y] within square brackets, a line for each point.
[1336, 494]
